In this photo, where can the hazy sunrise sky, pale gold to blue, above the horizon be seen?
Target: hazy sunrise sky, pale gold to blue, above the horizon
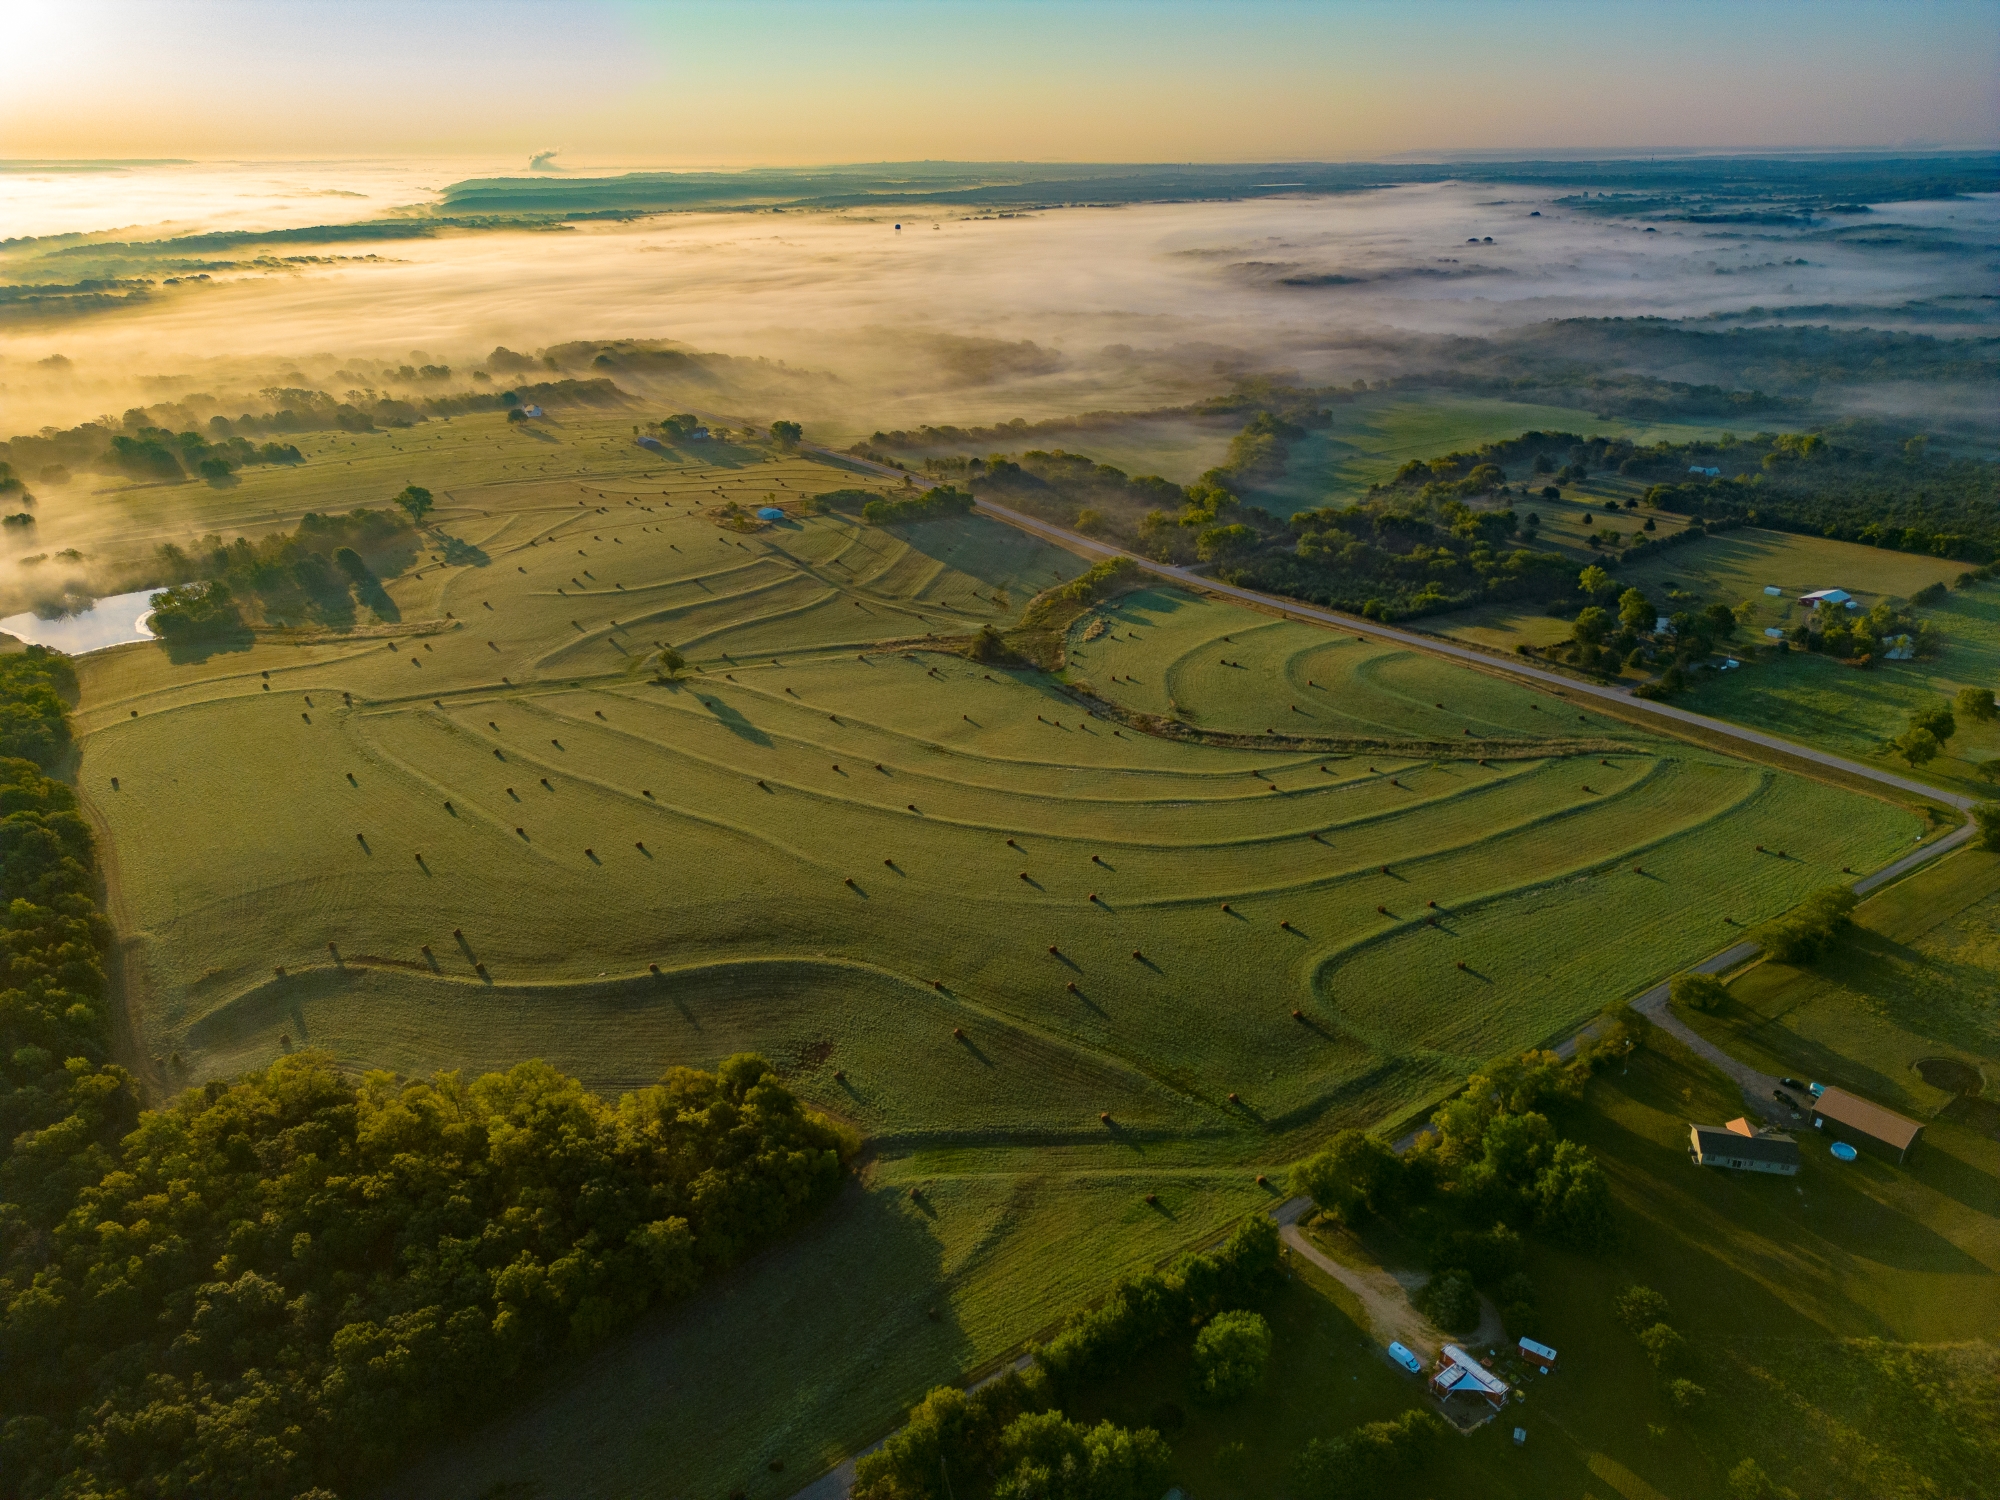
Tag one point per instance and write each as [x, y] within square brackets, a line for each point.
[623, 83]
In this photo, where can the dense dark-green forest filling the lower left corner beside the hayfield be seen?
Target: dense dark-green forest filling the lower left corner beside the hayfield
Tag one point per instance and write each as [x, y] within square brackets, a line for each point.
[271, 1287]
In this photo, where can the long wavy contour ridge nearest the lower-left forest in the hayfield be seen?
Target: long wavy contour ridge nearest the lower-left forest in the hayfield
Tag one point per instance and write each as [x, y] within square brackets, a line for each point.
[623, 989]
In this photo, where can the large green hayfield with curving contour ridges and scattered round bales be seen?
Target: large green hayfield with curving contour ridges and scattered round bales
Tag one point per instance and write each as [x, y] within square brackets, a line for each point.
[1047, 961]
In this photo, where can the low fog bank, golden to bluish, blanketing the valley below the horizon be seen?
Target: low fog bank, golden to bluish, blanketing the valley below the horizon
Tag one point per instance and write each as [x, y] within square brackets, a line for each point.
[955, 319]
